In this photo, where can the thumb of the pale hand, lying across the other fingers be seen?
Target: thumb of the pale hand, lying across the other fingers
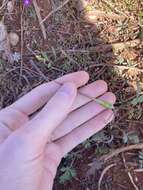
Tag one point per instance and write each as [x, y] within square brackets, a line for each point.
[41, 127]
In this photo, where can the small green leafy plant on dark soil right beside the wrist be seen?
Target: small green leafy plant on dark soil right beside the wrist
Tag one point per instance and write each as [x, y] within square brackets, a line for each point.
[68, 173]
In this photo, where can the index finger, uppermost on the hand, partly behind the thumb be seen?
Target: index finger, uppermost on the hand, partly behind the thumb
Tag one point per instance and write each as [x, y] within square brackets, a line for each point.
[35, 99]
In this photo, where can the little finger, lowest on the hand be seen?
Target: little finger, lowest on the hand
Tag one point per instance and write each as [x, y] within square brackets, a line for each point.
[78, 135]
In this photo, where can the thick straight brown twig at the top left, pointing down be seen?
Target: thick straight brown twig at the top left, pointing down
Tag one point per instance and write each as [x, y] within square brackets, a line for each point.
[37, 10]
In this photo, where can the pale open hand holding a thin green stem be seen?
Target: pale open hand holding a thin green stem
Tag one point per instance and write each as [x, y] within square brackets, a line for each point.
[31, 147]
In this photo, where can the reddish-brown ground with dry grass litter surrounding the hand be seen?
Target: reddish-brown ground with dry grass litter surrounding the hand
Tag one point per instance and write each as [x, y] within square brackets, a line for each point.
[104, 38]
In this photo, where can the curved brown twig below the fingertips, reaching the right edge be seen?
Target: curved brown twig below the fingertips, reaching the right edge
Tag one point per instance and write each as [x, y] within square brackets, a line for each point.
[120, 150]
